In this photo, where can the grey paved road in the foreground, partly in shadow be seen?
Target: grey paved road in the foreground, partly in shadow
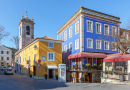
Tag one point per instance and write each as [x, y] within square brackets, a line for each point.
[17, 82]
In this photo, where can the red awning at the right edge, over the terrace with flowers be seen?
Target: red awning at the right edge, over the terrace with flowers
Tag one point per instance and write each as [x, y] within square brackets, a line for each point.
[119, 57]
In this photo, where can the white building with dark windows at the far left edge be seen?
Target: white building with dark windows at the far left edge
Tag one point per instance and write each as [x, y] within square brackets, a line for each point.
[5, 56]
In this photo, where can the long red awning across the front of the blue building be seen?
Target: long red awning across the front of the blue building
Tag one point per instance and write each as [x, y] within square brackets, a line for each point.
[85, 54]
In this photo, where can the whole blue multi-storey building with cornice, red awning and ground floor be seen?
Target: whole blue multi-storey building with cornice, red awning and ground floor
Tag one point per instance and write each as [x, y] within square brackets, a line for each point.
[88, 37]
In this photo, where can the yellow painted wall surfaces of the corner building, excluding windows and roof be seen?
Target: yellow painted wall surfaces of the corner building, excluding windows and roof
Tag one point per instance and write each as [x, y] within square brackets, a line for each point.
[42, 49]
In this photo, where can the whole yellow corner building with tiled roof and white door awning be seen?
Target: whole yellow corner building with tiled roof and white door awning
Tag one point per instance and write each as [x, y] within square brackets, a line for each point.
[46, 49]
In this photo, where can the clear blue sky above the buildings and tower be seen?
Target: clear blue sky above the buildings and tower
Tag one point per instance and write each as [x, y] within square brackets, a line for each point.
[50, 15]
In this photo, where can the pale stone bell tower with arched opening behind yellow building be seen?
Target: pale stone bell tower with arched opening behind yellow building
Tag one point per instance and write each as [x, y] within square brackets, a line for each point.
[26, 31]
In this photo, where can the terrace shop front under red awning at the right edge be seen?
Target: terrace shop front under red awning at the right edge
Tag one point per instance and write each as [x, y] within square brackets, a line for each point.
[116, 68]
